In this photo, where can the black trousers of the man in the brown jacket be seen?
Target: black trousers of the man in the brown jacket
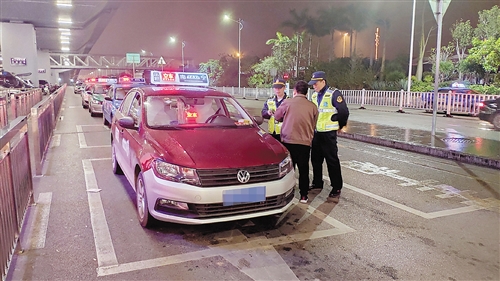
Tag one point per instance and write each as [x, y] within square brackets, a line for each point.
[300, 158]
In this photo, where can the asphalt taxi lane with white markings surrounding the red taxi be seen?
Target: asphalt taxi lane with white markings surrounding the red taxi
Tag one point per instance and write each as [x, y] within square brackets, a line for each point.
[401, 216]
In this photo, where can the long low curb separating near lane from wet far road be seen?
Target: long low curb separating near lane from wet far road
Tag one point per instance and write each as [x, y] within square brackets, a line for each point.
[434, 151]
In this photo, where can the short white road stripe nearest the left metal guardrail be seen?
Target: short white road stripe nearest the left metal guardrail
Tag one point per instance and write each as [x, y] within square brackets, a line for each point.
[41, 221]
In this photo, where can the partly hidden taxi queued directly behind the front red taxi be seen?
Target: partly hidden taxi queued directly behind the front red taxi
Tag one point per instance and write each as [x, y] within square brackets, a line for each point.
[115, 95]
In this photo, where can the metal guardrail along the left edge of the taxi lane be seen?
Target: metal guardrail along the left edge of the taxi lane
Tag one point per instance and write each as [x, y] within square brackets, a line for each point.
[23, 144]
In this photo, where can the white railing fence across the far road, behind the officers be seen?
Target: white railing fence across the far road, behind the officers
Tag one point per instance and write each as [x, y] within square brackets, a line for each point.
[449, 102]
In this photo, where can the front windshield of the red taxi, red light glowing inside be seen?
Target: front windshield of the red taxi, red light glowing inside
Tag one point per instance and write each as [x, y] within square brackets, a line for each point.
[206, 111]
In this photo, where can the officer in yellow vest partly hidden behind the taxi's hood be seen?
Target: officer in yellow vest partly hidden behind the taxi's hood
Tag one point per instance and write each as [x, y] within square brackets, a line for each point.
[270, 106]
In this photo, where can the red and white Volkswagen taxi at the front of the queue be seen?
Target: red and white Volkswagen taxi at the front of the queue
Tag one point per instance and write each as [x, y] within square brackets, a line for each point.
[194, 155]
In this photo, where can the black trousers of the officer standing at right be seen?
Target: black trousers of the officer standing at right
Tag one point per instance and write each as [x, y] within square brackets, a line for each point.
[324, 147]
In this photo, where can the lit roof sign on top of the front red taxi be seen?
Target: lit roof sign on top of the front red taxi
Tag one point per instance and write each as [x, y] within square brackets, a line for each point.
[178, 78]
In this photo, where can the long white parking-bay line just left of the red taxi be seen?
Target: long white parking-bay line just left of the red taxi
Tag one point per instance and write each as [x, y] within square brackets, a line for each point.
[105, 251]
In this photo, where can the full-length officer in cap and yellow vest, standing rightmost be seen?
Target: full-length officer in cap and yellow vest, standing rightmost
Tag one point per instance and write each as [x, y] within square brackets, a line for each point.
[333, 115]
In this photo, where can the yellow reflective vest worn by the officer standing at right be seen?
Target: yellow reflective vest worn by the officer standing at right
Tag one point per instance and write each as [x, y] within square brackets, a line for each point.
[326, 110]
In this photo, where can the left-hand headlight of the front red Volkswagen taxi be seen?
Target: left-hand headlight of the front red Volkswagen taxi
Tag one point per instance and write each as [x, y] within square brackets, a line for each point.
[175, 173]
